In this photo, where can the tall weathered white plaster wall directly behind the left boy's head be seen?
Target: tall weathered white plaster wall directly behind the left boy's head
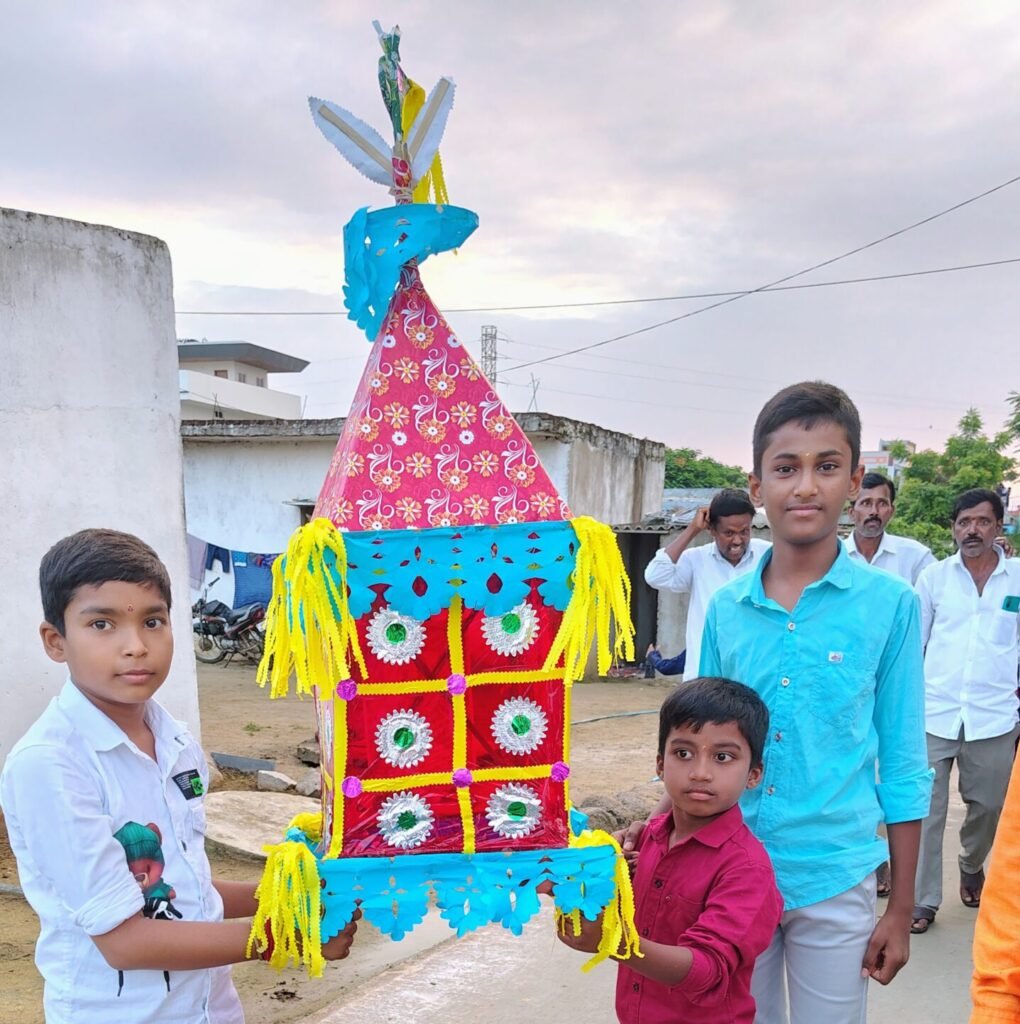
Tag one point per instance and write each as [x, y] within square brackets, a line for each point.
[90, 413]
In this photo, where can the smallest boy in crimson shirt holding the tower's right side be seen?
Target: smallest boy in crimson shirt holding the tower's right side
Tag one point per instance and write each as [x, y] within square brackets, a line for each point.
[705, 891]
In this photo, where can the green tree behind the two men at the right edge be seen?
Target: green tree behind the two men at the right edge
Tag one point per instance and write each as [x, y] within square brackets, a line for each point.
[933, 480]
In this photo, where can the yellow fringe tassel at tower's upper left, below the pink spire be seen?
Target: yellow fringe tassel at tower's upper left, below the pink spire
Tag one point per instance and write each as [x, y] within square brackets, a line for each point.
[310, 631]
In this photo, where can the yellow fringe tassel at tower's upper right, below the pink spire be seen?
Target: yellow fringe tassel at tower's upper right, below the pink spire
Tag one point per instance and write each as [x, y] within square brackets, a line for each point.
[601, 606]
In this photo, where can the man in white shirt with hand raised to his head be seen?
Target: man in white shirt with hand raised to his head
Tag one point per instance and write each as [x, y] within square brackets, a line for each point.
[701, 572]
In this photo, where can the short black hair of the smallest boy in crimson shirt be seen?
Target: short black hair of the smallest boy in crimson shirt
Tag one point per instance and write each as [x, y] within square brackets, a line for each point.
[710, 699]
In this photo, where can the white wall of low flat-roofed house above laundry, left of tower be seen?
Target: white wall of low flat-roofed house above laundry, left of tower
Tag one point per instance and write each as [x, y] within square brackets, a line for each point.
[235, 494]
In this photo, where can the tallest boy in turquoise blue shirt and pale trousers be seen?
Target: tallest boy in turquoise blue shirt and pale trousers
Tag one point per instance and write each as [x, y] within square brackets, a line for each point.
[834, 650]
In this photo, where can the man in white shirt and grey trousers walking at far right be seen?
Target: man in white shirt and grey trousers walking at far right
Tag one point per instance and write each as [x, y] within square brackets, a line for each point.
[969, 626]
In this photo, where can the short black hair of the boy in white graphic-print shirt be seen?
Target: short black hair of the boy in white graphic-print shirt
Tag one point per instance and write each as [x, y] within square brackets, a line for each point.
[91, 559]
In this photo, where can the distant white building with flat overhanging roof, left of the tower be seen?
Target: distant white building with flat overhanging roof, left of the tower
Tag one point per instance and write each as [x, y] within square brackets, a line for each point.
[229, 380]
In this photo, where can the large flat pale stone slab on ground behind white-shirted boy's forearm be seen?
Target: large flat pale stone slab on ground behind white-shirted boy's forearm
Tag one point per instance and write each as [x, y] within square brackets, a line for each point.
[242, 823]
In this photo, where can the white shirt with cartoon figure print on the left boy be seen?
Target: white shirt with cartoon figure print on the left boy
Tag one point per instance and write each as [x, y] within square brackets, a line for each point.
[70, 785]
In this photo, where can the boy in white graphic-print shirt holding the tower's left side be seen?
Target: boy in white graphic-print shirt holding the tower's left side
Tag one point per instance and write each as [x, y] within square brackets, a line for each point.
[104, 803]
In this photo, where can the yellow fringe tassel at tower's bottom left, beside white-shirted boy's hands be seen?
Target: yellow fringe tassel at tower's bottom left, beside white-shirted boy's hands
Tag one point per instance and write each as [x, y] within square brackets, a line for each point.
[289, 902]
